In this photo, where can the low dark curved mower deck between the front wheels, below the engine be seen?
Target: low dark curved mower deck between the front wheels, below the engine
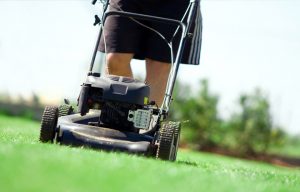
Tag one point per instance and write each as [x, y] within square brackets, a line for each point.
[74, 130]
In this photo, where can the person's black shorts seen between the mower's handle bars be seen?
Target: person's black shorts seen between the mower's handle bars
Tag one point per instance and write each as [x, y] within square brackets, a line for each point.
[123, 35]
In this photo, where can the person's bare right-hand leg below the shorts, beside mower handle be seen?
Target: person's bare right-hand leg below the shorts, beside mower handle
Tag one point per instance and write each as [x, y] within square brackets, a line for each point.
[157, 74]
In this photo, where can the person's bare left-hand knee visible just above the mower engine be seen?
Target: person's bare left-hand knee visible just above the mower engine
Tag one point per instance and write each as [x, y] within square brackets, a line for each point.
[119, 64]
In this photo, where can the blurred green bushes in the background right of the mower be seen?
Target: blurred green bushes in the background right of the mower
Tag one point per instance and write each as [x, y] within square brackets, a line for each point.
[248, 131]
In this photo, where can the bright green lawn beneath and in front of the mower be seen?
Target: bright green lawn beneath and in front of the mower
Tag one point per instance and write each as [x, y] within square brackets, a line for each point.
[27, 165]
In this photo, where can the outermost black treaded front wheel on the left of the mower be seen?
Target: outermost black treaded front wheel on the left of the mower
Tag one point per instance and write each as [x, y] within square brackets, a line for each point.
[48, 125]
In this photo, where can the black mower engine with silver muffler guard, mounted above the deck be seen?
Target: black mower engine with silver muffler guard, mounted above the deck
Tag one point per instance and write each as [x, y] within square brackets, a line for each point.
[123, 101]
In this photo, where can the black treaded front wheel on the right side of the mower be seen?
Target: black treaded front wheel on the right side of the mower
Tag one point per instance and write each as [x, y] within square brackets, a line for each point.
[166, 142]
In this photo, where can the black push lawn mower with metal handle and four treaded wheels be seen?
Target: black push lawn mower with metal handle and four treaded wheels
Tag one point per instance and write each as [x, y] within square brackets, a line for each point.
[114, 112]
